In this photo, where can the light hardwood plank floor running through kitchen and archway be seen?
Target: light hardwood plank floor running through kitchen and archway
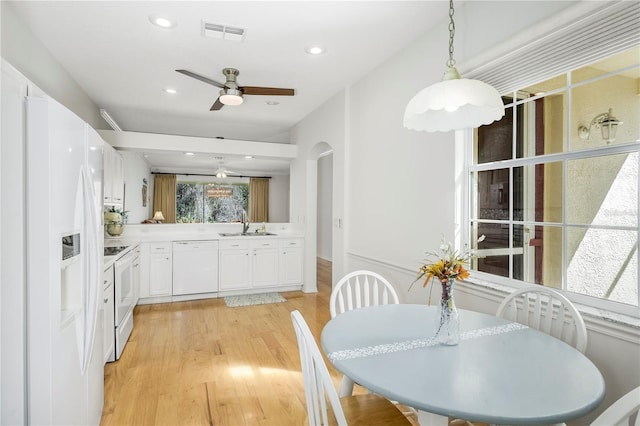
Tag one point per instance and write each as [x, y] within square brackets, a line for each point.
[202, 363]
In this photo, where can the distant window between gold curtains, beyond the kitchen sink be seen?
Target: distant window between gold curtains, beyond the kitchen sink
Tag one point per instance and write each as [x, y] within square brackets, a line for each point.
[222, 200]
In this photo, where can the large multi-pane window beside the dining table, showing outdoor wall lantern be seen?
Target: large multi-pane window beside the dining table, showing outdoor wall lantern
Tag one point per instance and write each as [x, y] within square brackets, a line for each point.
[554, 191]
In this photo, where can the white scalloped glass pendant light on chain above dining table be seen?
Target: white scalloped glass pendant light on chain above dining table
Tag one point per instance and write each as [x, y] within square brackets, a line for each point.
[454, 103]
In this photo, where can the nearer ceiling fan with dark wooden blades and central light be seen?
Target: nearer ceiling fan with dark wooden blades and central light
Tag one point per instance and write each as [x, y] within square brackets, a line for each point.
[231, 93]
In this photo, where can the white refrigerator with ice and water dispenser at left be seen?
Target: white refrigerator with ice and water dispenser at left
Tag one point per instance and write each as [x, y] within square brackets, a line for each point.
[64, 172]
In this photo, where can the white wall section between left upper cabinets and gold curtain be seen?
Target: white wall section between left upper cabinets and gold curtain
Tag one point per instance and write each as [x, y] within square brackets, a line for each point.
[135, 170]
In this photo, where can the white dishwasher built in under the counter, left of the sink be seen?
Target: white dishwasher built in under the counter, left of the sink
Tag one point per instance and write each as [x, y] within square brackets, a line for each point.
[195, 267]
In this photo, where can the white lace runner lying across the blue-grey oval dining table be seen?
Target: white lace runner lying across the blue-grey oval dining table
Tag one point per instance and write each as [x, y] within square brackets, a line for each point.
[419, 343]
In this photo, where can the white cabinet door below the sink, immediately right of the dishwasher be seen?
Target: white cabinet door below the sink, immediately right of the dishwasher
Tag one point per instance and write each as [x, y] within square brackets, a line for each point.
[234, 265]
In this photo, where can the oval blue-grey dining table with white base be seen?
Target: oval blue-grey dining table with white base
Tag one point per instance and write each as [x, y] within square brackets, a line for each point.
[501, 372]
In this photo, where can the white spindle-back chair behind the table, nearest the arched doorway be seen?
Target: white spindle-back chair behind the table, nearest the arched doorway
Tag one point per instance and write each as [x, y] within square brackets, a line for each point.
[356, 290]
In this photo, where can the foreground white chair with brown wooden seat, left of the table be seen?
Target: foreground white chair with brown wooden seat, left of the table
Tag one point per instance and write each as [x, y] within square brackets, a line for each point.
[366, 409]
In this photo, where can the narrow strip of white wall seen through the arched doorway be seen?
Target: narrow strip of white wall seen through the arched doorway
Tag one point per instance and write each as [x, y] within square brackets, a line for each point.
[325, 206]
